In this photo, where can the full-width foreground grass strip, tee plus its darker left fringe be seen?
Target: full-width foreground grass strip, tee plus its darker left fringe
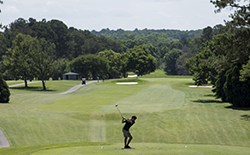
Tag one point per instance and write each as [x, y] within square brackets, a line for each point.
[111, 148]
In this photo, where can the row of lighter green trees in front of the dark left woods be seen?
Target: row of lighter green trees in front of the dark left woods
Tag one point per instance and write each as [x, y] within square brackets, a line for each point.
[31, 57]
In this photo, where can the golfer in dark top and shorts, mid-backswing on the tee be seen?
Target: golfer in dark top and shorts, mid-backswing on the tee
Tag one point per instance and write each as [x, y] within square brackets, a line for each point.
[125, 130]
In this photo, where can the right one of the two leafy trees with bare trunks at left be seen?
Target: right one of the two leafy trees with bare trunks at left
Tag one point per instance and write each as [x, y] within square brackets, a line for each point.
[43, 61]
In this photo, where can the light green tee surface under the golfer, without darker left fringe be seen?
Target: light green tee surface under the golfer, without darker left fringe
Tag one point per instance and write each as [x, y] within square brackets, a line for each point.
[149, 149]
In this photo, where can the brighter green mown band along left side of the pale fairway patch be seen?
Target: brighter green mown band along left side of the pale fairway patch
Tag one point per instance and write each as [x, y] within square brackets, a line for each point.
[93, 100]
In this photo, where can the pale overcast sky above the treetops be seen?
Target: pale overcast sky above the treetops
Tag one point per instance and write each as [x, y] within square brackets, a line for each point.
[116, 14]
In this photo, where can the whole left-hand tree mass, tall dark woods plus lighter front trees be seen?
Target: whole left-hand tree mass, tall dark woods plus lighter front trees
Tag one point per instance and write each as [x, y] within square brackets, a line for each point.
[42, 49]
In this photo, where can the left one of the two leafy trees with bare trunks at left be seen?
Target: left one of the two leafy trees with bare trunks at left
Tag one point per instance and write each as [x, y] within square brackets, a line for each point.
[19, 58]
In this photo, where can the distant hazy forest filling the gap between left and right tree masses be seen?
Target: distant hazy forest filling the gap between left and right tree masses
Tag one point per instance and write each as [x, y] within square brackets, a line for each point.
[171, 48]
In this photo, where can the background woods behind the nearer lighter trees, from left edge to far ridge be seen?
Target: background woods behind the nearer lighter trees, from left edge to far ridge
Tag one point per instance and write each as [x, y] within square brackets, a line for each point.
[170, 54]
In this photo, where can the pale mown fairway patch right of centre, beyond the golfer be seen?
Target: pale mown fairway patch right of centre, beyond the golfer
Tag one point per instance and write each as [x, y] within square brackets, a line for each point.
[154, 98]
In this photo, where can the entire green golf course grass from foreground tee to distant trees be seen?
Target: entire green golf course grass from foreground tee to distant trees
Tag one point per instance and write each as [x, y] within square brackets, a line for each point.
[170, 116]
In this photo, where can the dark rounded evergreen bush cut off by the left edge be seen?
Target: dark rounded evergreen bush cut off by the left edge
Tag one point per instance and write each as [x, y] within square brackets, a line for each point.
[4, 91]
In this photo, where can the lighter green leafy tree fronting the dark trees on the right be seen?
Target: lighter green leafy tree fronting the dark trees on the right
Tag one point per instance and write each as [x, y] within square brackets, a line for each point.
[202, 66]
